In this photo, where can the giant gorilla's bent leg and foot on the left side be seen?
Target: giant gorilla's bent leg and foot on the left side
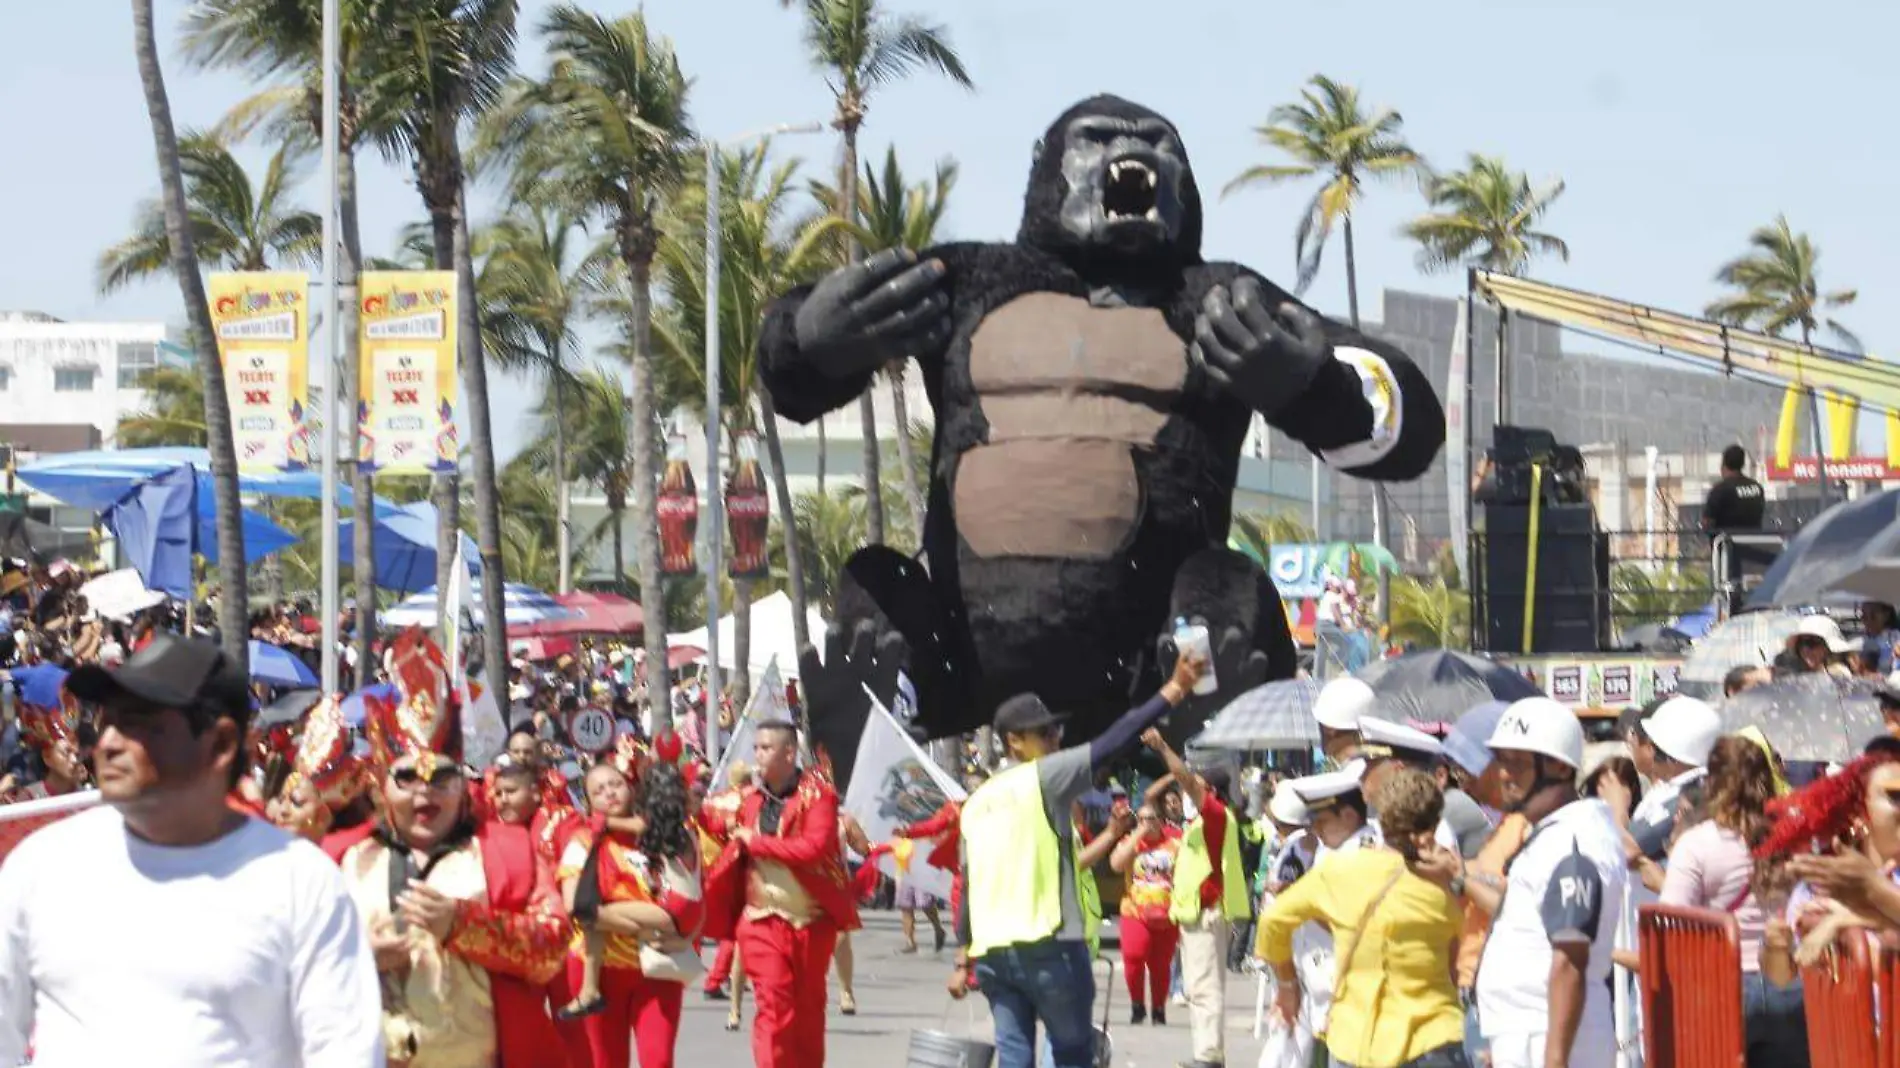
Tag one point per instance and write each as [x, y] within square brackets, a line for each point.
[886, 620]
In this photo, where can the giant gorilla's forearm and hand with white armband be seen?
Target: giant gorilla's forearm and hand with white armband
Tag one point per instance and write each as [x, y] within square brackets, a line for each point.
[1359, 404]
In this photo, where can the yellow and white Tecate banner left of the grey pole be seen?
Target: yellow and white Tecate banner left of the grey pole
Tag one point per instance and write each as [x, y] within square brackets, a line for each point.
[265, 345]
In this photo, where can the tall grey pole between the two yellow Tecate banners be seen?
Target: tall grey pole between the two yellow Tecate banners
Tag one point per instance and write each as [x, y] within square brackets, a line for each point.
[332, 339]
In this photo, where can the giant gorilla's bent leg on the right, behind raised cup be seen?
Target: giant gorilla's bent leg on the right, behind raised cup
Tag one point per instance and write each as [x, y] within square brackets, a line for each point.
[1245, 624]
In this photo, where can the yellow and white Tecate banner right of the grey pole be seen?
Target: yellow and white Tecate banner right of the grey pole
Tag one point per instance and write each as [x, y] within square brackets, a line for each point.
[408, 379]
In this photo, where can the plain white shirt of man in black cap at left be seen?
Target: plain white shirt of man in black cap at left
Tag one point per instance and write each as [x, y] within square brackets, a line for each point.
[240, 953]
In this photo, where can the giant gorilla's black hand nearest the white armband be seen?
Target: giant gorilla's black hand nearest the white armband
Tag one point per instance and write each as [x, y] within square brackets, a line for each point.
[1264, 358]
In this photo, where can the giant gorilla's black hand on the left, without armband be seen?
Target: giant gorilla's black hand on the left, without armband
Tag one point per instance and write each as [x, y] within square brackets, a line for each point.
[875, 311]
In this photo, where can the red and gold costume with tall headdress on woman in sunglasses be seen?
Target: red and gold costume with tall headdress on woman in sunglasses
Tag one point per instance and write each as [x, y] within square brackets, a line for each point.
[480, 995]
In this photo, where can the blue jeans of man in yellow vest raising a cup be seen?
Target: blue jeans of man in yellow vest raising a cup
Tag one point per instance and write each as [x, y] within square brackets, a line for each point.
[1042, 982]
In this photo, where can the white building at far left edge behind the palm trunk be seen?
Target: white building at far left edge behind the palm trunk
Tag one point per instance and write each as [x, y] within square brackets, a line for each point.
[56, 373]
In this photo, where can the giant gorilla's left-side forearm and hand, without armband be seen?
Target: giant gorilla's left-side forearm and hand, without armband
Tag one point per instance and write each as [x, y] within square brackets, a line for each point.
[822, 345]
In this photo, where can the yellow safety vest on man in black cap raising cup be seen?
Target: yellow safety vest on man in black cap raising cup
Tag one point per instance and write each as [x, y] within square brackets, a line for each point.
[1014, 877]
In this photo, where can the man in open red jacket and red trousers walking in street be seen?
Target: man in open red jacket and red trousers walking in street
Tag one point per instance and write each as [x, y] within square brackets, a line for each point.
[782, 888]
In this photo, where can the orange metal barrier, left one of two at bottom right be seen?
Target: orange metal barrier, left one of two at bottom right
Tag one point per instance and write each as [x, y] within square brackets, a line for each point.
[1692, 983]
